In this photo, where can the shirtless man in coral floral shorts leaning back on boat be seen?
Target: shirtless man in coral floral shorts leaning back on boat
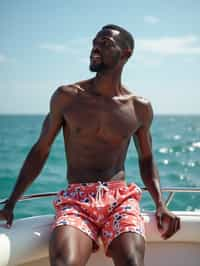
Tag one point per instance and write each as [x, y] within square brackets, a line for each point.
[98, 117]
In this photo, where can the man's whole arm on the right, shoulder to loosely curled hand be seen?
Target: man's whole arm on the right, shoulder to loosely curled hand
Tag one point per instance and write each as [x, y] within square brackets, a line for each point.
[166, 220]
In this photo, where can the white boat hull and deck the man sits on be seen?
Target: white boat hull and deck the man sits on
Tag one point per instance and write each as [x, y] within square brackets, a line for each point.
[26, 243]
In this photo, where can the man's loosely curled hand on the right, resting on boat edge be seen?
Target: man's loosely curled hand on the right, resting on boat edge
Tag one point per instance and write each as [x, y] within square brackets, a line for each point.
[168, 223]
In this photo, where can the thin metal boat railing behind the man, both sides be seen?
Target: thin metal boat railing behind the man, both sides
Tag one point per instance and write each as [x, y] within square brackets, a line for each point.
[170, 190]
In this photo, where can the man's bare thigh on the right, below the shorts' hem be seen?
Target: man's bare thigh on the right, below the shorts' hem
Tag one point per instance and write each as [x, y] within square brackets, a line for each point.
[127, 250]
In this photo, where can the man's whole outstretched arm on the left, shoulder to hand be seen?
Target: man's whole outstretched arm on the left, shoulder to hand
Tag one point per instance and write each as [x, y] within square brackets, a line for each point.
[36, 158]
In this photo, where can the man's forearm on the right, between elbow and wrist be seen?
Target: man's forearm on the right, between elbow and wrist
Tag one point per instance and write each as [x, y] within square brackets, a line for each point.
[151, 179]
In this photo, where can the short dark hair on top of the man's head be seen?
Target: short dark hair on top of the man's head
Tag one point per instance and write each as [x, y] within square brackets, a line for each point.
[126, 36]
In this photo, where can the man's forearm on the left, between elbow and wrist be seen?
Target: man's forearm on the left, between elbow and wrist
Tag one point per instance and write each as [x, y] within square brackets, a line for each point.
[29, 171]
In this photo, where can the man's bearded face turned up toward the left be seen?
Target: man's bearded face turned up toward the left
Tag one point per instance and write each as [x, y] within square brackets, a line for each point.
[106, 51]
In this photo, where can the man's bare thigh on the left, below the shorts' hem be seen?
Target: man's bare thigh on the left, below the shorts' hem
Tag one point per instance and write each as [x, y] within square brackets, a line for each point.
[69, 247]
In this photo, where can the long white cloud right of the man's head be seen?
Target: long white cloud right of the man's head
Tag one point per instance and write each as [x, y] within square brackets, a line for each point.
[189, 45]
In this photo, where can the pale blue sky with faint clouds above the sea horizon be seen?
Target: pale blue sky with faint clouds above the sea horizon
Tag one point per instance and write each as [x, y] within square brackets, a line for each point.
[45, 44]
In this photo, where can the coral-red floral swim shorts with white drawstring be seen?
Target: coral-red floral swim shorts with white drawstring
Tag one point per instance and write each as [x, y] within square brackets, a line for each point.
[102, 209]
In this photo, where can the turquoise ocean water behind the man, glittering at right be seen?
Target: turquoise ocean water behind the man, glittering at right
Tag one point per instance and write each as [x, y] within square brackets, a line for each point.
[176, 146]
